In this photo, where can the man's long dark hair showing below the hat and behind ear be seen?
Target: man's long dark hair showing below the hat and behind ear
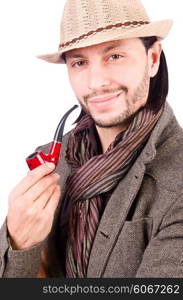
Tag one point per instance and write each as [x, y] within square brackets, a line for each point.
[159, 84]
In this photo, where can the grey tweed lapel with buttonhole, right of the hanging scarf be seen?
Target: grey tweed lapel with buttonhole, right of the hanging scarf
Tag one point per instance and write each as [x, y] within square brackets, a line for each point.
[113, 219]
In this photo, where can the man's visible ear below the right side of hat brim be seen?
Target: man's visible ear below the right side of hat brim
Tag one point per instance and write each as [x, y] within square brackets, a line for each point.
[154, 54]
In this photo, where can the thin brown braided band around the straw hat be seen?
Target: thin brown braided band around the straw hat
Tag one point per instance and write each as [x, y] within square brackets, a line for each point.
[126, 24]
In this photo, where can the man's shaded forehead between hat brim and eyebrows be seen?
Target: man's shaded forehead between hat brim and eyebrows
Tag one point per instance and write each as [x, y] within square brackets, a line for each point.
[104, 47]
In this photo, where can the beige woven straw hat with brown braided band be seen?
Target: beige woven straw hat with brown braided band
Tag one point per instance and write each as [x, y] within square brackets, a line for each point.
[90, 22]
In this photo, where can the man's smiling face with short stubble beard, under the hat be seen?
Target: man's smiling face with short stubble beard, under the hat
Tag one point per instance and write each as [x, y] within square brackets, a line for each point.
[110, 80]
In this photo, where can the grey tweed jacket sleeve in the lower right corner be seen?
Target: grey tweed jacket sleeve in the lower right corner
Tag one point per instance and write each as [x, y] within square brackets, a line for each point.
[164, 255]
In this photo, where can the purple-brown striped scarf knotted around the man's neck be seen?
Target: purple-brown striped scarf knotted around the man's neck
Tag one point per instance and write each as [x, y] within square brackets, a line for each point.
[95, 174]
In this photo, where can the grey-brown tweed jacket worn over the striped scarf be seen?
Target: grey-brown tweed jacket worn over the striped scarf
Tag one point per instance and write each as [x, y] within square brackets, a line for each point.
[141, 230]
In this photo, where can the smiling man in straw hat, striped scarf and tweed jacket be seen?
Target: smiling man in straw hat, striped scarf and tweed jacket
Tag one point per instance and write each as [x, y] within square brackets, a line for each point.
[120, 206]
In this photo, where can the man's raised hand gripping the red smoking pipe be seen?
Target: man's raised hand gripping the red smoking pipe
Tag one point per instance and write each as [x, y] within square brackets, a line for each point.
[31, 207]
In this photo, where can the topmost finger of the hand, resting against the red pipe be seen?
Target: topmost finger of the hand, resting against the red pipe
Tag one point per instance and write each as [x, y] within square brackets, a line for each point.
[31, 178]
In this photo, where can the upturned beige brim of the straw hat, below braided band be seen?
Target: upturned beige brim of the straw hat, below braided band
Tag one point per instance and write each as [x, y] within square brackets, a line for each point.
[159, 29]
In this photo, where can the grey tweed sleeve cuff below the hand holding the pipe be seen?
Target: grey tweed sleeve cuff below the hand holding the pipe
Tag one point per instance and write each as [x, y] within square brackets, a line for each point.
[18, 263]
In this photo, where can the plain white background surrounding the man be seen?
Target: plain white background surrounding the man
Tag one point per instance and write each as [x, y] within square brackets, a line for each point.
[35, 94]
